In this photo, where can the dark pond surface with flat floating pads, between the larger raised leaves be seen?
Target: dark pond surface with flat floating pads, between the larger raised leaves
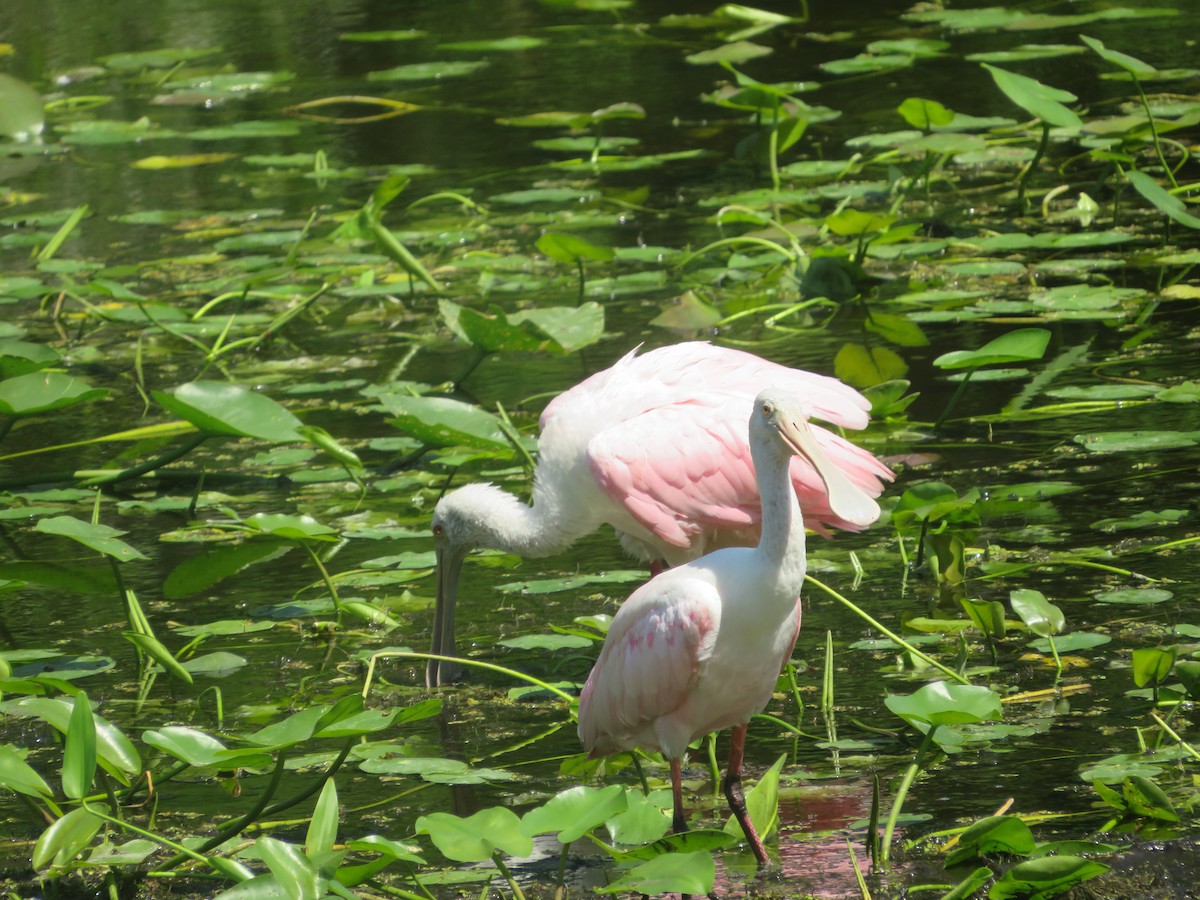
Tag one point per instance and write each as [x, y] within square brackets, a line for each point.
[214, 201]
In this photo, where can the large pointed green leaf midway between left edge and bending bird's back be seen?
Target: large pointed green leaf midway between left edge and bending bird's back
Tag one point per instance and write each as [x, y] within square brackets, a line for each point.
[223, 409]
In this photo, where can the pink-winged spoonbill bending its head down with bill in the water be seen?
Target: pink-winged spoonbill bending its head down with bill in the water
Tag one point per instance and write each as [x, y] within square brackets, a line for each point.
[657, 448]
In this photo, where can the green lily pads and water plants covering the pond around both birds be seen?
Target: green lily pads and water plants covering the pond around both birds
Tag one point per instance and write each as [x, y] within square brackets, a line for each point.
[242, 358]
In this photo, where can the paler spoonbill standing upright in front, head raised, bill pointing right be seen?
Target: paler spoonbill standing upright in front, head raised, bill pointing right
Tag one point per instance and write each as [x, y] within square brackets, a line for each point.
[700, 647]
